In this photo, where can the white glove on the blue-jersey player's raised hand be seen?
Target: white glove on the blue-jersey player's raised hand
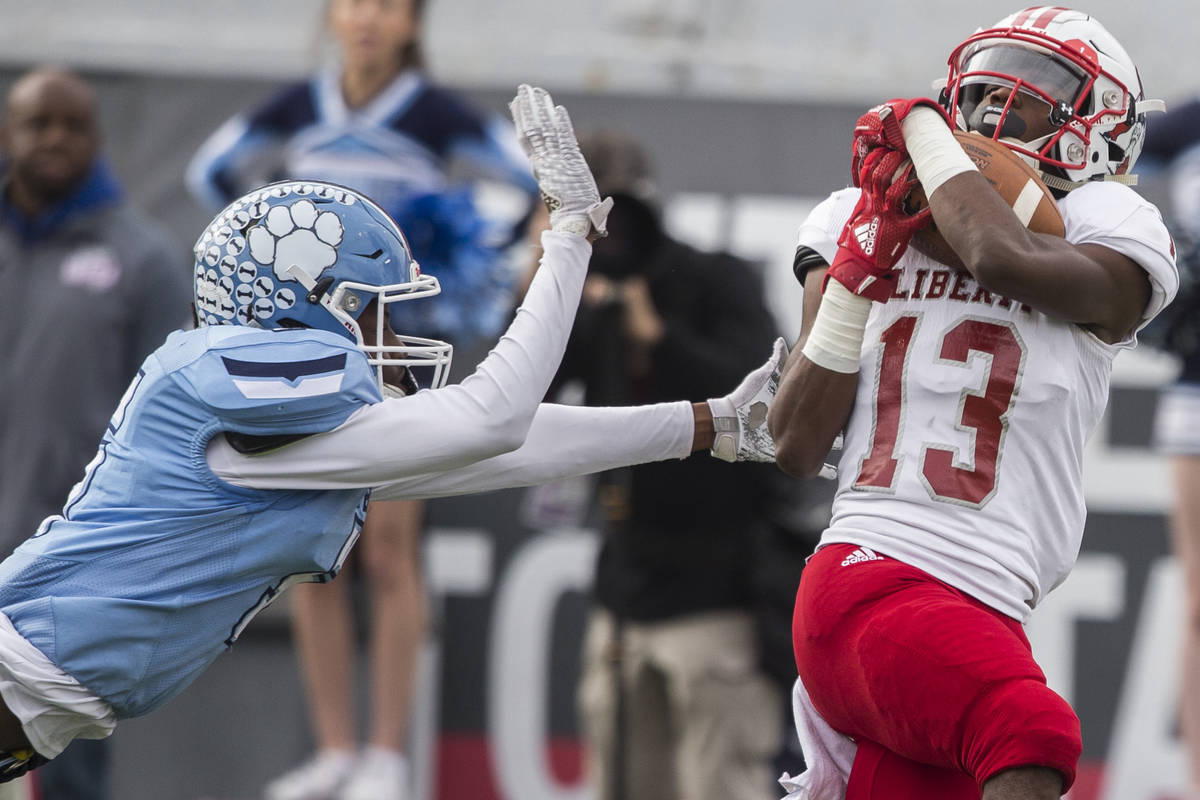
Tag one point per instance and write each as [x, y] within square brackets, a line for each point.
[563, 176]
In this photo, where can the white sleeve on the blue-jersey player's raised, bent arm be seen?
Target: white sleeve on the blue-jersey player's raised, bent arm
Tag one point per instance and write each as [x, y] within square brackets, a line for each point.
[488, 414]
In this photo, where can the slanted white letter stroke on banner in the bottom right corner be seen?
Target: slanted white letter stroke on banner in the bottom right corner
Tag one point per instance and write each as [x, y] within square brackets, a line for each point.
[1145, 760]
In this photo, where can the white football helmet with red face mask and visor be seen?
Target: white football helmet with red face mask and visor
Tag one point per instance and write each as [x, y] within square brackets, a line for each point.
[1069, 61]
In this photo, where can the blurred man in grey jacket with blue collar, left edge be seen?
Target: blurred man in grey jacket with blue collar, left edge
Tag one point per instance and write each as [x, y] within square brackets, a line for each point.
[92, 286]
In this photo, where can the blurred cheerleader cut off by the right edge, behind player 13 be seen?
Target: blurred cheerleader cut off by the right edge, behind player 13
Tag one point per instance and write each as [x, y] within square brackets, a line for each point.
[1173, 141]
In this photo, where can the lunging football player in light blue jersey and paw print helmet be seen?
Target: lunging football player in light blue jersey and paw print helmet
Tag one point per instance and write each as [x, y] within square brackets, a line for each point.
[243, 456]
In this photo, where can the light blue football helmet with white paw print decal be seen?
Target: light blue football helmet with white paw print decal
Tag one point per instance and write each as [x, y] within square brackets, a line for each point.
[313, 255]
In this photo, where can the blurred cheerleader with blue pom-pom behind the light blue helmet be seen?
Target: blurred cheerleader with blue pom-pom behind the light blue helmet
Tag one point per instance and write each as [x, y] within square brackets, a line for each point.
[375, 123]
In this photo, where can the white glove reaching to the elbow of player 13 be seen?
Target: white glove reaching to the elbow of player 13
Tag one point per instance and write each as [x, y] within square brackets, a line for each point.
[740, 419]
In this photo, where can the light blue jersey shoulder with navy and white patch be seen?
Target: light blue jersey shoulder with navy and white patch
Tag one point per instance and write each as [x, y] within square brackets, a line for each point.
[279, 384]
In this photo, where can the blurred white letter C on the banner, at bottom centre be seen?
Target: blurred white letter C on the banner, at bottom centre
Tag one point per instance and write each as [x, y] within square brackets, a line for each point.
[545, 568]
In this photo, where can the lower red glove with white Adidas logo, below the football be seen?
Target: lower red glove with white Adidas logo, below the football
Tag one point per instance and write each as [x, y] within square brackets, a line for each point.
[879, 230]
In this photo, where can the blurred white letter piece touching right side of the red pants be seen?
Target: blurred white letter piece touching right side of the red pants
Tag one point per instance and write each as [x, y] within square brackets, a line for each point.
[1095, 592]
